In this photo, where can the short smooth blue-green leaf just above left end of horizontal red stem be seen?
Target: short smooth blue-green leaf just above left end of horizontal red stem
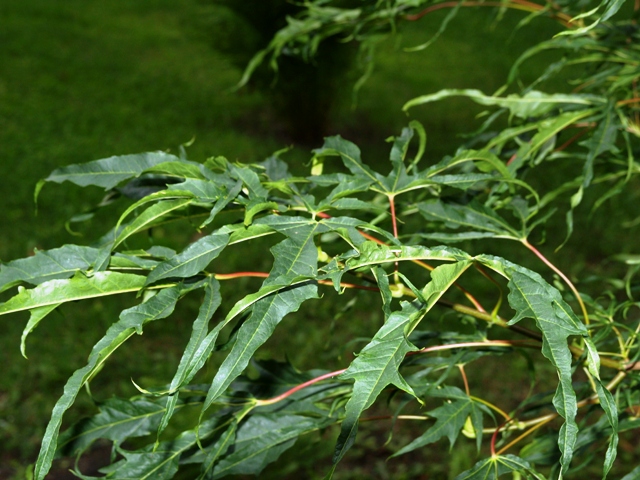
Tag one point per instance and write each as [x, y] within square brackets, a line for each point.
[193, 259]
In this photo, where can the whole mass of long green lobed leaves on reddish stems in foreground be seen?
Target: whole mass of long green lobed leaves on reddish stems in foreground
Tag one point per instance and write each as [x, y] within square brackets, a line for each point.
[348, 226]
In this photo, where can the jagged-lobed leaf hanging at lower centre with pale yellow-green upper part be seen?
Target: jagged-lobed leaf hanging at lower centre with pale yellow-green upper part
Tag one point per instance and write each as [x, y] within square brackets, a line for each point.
[378, 364]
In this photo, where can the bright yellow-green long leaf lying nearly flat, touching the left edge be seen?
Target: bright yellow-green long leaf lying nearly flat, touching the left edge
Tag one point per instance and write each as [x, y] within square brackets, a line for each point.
[80, 287]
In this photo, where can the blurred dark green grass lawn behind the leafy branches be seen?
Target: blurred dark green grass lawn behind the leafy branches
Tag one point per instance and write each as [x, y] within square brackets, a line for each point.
[82, 80]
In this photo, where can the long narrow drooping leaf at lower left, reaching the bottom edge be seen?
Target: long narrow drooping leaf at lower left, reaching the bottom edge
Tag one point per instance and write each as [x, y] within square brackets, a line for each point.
[130, 322]
